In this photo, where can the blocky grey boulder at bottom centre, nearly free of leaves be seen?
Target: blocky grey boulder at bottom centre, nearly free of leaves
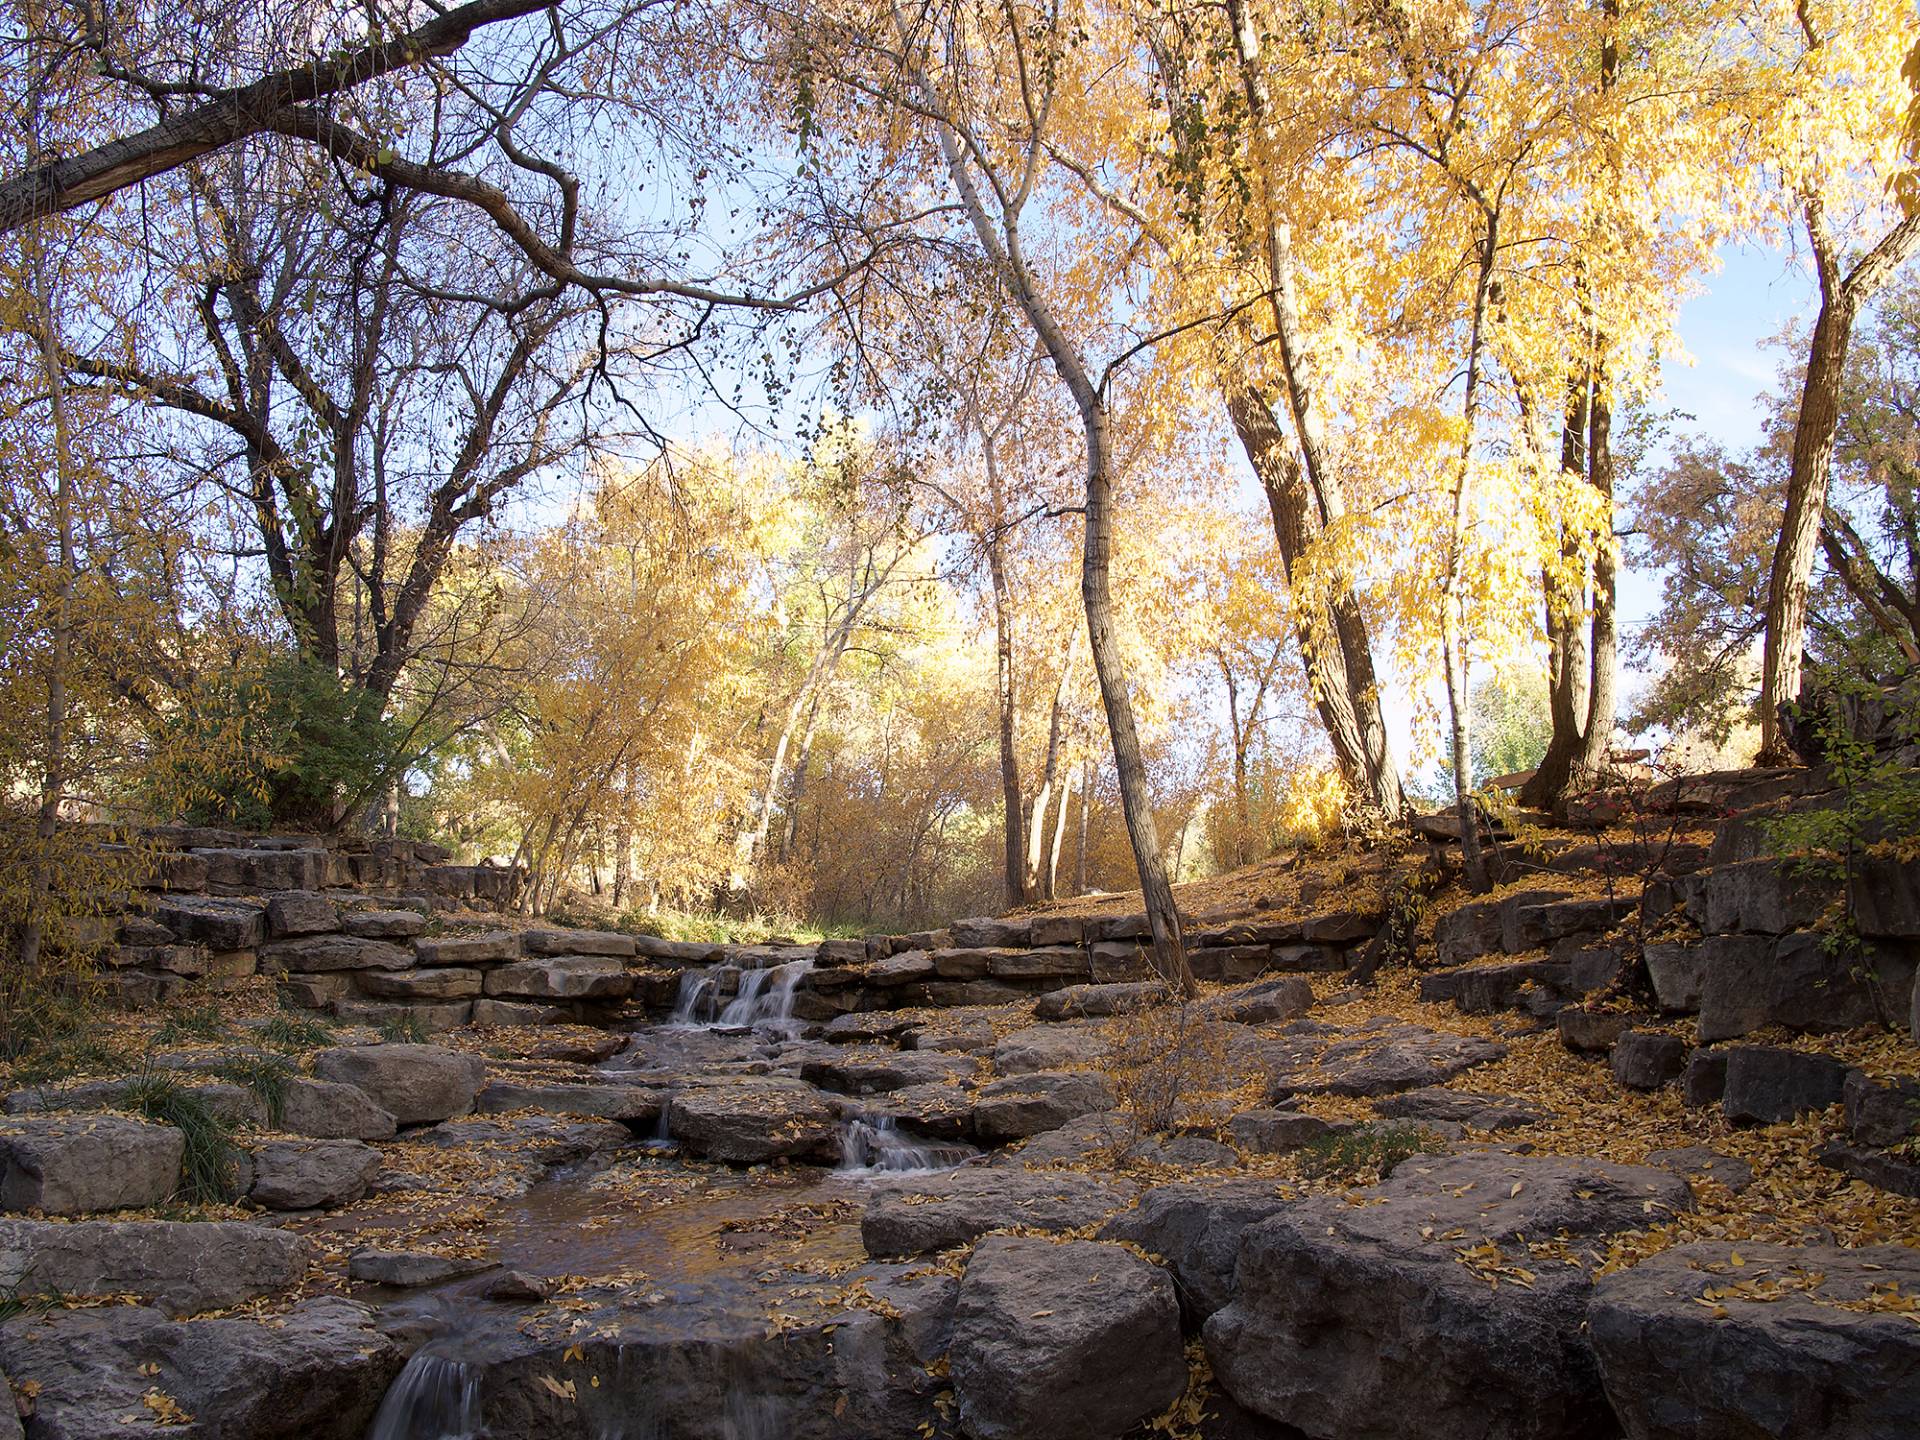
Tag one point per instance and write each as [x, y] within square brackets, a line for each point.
[1074, 1341]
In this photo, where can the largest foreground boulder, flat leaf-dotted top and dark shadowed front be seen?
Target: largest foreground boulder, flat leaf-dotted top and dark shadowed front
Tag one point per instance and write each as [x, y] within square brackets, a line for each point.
[1383, 1318]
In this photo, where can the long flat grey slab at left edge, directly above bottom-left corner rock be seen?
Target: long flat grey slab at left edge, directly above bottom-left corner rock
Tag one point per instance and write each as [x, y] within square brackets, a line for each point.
[185, 1266]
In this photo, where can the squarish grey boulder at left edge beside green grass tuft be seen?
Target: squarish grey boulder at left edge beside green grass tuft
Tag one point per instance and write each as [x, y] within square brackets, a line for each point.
[78, 1164]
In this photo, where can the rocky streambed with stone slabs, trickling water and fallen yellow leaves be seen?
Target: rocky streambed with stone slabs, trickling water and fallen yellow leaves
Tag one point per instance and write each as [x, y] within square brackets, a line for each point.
[1293, 1207]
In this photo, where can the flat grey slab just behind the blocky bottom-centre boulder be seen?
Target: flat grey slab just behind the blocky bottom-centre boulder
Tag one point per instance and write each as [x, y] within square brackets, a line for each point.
[921, 1214]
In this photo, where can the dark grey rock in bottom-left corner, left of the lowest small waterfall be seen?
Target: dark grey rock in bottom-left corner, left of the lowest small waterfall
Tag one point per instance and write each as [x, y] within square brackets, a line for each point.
[314, 1374]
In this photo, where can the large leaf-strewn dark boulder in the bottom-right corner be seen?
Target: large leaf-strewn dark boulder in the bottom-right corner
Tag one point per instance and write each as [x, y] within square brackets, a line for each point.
[1735, 1370]
